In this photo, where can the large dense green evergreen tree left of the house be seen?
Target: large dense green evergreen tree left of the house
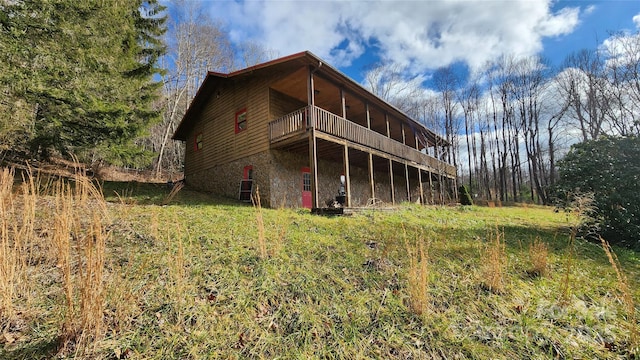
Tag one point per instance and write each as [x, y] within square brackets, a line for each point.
[85, 71]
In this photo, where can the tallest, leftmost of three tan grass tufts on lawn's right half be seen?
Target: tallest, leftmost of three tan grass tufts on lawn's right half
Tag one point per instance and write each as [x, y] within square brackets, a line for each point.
[418, 275]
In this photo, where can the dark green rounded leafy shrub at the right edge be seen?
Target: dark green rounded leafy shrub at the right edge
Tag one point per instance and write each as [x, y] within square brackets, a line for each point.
[610, 169]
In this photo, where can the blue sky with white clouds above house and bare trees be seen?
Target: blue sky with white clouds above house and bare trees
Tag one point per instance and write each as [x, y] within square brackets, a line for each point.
[421, 36]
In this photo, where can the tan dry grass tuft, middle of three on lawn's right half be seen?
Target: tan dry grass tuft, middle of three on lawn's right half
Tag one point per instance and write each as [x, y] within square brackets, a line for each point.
[494, 262]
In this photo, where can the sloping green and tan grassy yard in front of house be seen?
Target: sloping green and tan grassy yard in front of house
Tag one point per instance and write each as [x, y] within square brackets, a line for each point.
[205, 277]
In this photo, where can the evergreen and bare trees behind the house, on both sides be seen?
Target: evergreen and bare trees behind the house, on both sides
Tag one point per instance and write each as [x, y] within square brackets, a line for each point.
[110, 83]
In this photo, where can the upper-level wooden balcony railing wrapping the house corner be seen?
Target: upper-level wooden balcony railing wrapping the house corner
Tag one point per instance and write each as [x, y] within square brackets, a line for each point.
[299, 122]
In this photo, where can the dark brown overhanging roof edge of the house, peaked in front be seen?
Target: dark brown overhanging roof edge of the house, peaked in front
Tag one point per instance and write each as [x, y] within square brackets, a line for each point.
[214, 79]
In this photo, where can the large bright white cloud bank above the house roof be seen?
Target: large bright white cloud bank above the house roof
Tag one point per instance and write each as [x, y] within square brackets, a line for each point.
[425, 34]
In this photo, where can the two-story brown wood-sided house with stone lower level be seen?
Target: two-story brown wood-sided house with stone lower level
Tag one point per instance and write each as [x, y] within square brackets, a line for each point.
[303, 133]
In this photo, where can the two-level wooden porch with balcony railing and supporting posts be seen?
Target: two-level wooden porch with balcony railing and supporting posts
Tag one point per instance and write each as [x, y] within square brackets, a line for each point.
[396, 172]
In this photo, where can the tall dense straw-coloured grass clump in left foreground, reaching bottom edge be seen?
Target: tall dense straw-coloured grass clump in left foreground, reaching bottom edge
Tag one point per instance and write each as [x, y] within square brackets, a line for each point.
[79, 240]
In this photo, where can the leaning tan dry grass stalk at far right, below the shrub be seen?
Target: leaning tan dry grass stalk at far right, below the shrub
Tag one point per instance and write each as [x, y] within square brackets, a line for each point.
[627, 297]
